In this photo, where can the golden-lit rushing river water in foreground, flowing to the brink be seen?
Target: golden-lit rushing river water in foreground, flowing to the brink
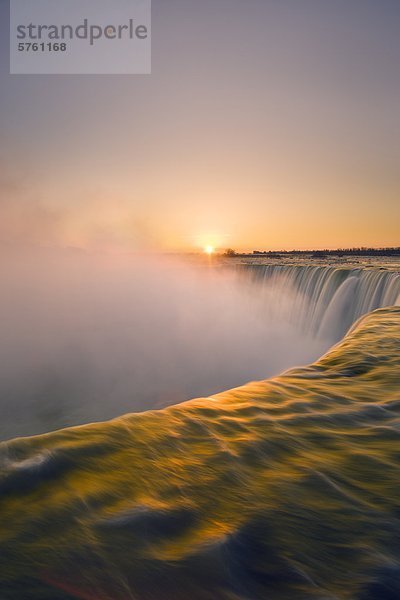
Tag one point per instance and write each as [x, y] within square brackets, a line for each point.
[281, 489]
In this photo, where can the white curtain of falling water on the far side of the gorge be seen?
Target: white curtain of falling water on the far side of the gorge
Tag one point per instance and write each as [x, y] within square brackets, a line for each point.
[326, 301]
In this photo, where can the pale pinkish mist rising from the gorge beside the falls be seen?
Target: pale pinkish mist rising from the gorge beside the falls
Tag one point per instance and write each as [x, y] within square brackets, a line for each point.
[87, 337]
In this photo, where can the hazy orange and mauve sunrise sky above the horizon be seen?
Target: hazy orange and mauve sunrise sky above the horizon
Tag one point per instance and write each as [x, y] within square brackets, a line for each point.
[265, 124]
